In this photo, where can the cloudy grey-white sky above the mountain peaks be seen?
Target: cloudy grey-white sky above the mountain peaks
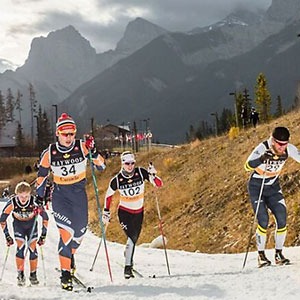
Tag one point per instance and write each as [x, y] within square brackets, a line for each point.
[103, 22]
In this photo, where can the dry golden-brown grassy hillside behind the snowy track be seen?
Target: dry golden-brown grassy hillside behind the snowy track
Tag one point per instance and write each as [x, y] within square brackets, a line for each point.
[204, 202]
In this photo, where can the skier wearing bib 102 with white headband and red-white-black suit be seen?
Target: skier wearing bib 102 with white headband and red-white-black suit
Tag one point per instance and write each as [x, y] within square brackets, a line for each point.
[130, 184]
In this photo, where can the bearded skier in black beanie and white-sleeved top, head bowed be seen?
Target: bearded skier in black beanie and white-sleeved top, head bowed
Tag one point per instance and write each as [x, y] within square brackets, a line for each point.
[266, 162]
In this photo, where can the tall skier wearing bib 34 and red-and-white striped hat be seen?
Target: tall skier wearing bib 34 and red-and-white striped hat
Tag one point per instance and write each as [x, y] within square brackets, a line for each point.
[67, 159]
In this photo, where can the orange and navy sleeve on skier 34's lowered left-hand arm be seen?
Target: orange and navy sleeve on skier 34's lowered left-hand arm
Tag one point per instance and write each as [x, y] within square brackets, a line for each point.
[43, 173]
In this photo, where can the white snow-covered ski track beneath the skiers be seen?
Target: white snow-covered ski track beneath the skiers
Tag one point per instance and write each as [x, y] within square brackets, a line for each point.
[195, 276]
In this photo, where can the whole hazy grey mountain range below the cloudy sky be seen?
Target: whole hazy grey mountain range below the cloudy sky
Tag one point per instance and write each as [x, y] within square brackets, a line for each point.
[152, 71]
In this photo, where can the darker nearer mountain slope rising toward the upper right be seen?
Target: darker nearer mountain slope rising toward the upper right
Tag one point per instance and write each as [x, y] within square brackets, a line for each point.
[179, 79]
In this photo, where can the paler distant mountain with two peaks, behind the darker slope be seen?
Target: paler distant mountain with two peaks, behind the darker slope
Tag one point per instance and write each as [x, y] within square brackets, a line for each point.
[62, 61]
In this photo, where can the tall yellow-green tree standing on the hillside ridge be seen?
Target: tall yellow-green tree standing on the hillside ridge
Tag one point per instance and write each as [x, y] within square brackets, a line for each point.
[263, 98]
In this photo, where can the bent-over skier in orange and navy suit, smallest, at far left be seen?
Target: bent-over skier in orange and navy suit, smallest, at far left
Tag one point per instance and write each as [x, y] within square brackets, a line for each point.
[25, 209]
